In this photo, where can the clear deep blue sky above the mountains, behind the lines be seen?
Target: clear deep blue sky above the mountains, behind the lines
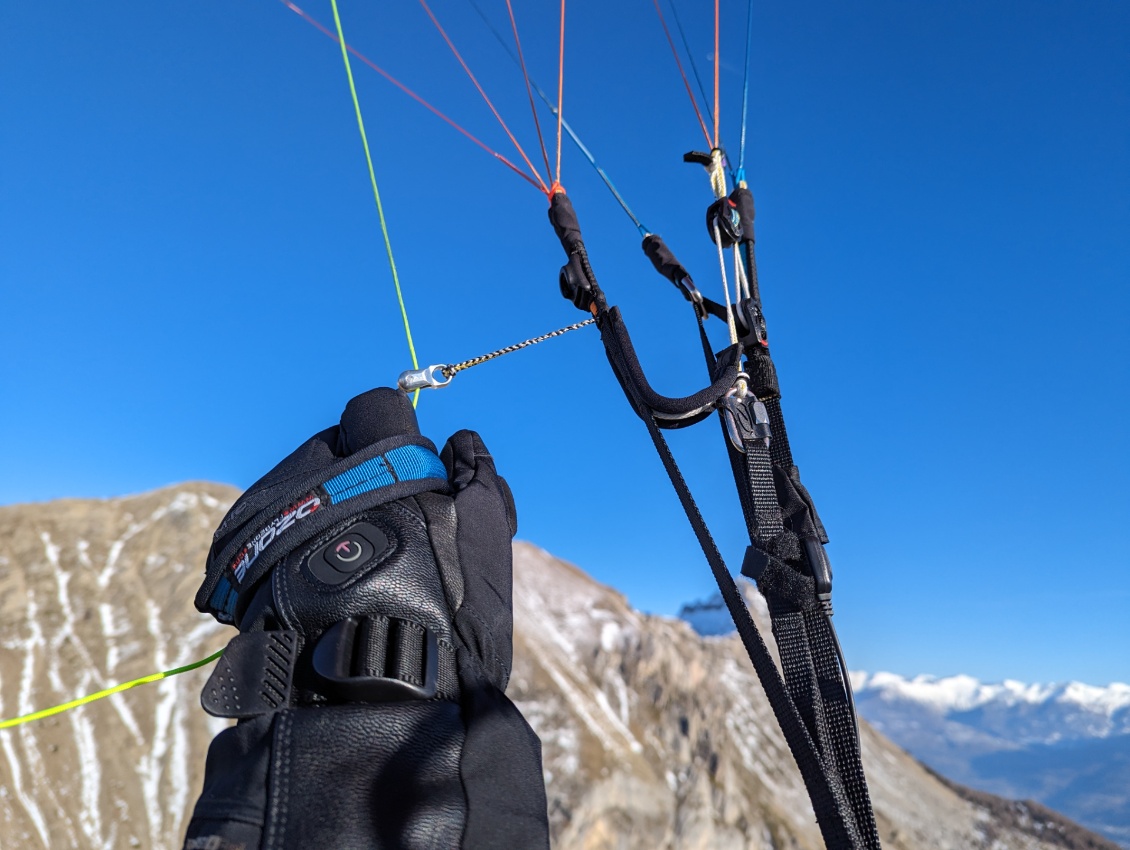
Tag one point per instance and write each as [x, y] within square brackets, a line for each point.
[193, 281]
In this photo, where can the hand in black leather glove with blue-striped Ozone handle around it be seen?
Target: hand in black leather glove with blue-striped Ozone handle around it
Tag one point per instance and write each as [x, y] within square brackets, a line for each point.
[371, 584]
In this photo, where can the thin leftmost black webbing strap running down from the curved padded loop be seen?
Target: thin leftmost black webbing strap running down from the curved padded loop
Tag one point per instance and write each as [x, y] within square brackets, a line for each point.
[830, 802]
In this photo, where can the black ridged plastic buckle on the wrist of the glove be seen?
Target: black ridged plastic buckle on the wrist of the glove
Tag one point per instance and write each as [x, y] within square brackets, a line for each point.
[378, 660]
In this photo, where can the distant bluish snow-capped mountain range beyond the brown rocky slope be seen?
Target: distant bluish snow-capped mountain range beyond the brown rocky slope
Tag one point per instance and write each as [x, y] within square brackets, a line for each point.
[1064, 745]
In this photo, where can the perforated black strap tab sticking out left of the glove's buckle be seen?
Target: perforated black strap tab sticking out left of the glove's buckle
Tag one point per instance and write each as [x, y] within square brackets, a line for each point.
[254, 676]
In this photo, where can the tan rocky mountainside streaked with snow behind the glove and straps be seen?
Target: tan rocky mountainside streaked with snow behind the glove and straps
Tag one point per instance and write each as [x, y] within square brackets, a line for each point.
[655, 738]
